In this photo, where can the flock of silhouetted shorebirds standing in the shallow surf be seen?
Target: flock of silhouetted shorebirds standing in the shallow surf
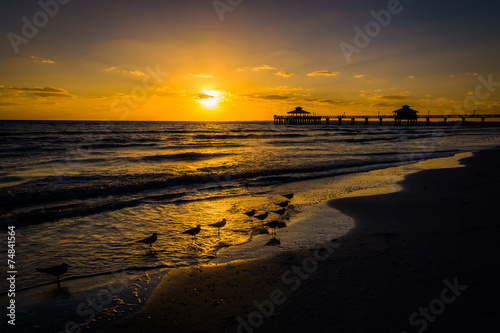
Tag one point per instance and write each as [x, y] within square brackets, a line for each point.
[63, 268]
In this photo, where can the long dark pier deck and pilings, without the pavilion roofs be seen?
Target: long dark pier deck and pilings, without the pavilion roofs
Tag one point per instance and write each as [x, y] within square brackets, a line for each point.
[327, 120]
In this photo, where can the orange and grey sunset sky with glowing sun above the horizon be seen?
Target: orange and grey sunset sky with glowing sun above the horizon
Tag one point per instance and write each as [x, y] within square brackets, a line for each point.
[245, 60]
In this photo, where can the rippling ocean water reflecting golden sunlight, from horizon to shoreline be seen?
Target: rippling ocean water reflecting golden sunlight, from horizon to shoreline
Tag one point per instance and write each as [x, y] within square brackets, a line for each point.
[83, 193]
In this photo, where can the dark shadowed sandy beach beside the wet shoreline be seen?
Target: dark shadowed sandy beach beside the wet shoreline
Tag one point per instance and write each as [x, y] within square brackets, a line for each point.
[422, 259]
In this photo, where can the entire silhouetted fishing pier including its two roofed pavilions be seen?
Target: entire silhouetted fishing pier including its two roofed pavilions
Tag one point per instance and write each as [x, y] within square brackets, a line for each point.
[403, 115]
